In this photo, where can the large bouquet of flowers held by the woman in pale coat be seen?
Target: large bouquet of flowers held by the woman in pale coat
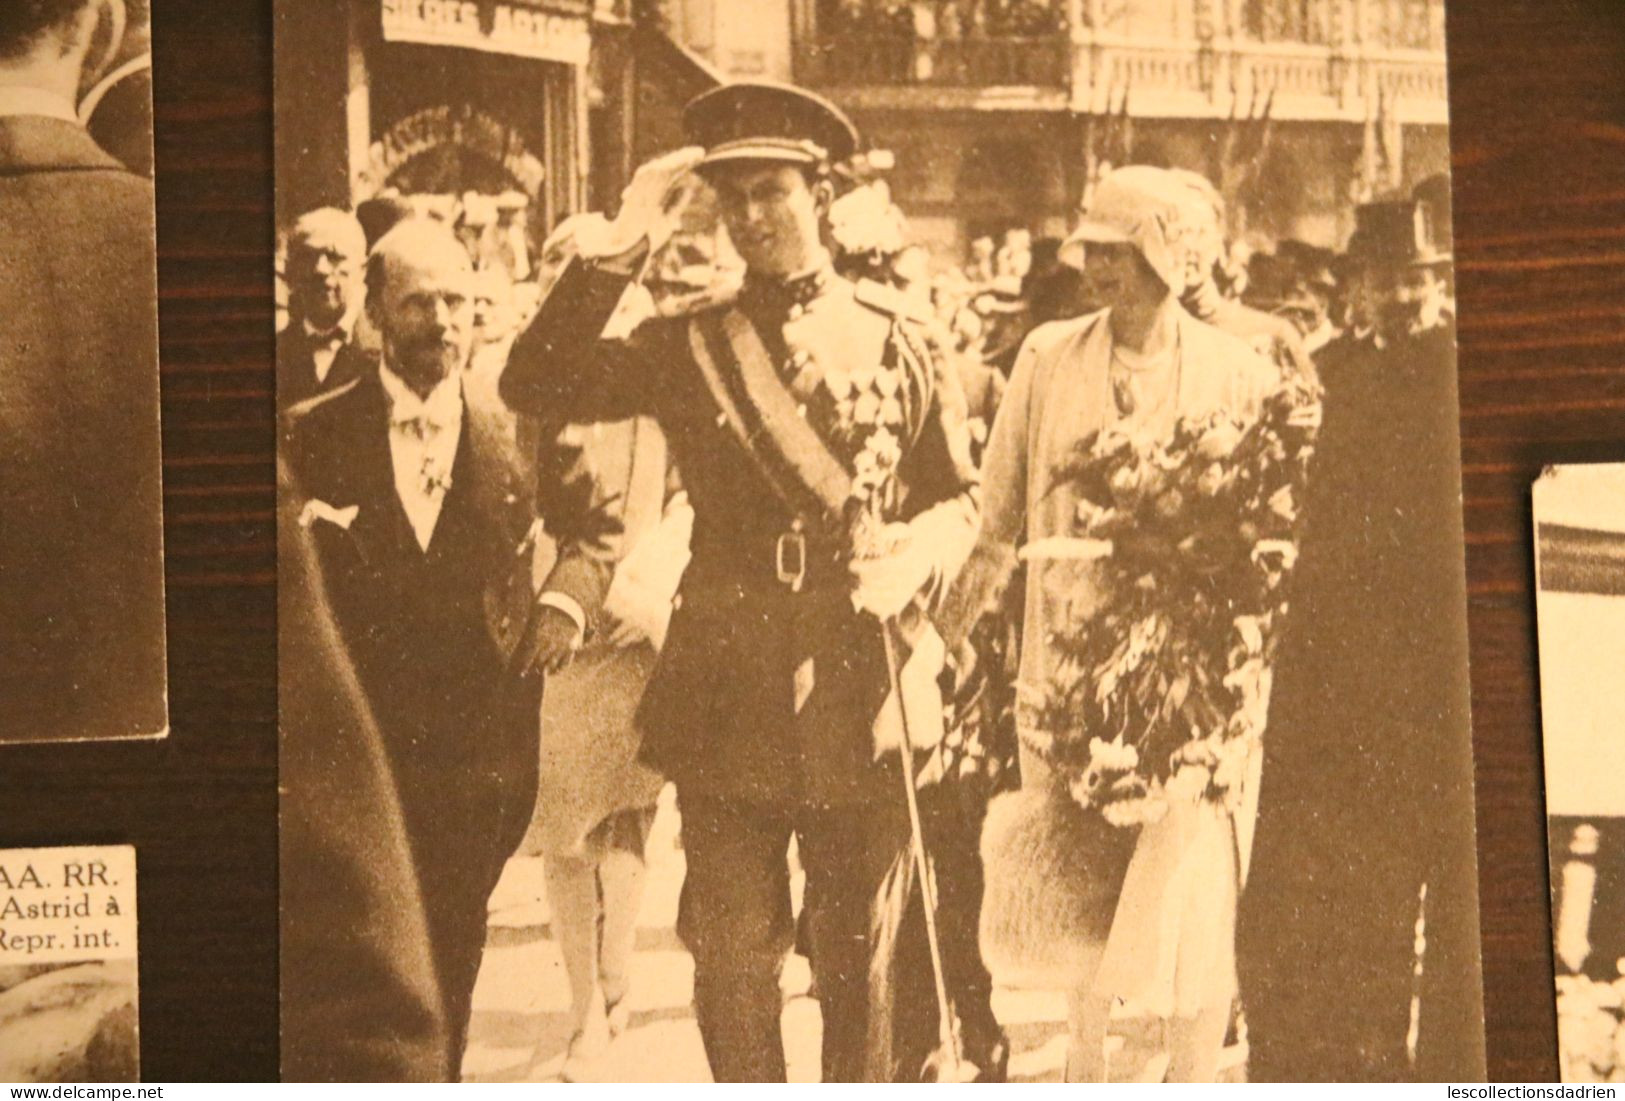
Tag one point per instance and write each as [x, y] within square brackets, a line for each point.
[1161, 688]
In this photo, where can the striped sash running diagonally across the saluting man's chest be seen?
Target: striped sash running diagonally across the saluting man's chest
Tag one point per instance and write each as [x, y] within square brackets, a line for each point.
[760, 410]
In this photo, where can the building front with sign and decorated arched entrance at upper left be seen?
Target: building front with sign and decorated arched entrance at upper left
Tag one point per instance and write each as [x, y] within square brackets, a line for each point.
[448, 98]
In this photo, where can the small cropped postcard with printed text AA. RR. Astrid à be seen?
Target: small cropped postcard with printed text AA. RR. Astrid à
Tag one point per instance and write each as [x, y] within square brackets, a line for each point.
[69, 1008]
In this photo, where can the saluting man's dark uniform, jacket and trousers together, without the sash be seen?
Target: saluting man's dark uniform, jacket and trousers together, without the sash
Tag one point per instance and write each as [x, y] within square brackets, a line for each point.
[765, 701]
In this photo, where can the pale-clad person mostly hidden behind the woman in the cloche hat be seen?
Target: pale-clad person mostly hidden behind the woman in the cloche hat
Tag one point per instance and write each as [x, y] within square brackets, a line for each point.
[1203, 238]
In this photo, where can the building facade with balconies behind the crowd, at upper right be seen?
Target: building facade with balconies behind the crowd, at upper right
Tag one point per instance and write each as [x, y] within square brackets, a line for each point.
[1002, 113]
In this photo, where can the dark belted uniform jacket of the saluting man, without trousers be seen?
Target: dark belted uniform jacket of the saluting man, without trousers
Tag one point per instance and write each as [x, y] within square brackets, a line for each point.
[721, 712]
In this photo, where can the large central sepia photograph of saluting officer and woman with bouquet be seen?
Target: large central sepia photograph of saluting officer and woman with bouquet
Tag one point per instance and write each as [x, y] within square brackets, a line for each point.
[872, 542]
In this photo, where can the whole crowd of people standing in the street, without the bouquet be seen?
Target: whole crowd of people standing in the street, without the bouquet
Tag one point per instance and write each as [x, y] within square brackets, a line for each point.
[742, 511]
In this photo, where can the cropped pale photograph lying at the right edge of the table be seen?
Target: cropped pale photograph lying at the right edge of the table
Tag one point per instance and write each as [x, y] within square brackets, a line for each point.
[1580, 605]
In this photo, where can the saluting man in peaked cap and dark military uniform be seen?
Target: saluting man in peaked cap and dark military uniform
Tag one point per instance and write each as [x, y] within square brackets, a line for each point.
[826, 459]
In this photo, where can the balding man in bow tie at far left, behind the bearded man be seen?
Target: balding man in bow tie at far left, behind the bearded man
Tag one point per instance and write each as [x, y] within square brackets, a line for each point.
[326, 254]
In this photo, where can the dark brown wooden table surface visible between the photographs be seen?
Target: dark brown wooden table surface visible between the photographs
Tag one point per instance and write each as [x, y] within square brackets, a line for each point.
[1538, 90]
